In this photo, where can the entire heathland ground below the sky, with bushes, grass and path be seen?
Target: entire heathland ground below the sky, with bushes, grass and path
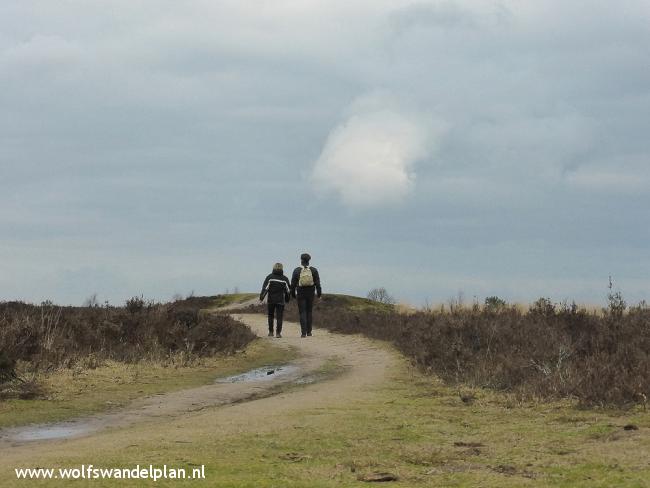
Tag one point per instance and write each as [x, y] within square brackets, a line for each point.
[488, 395]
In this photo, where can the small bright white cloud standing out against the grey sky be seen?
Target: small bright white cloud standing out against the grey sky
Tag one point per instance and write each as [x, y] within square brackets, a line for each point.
[369, 158]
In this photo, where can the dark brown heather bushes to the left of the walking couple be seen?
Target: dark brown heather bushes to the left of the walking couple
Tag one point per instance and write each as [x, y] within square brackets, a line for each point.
[47, 335]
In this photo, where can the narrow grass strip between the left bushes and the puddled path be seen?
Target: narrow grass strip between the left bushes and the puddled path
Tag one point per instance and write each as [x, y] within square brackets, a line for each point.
[71, 393]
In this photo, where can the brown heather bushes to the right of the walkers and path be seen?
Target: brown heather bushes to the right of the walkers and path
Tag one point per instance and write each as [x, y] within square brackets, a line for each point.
[550, 351]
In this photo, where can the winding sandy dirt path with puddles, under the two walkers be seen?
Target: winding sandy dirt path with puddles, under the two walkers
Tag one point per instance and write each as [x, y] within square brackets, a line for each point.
[366, 363]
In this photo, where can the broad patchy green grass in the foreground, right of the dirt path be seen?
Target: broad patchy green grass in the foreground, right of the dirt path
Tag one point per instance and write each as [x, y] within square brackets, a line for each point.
[414, 427]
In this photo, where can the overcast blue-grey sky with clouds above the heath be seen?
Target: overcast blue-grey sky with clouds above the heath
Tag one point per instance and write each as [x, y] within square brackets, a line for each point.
[435, 148]
